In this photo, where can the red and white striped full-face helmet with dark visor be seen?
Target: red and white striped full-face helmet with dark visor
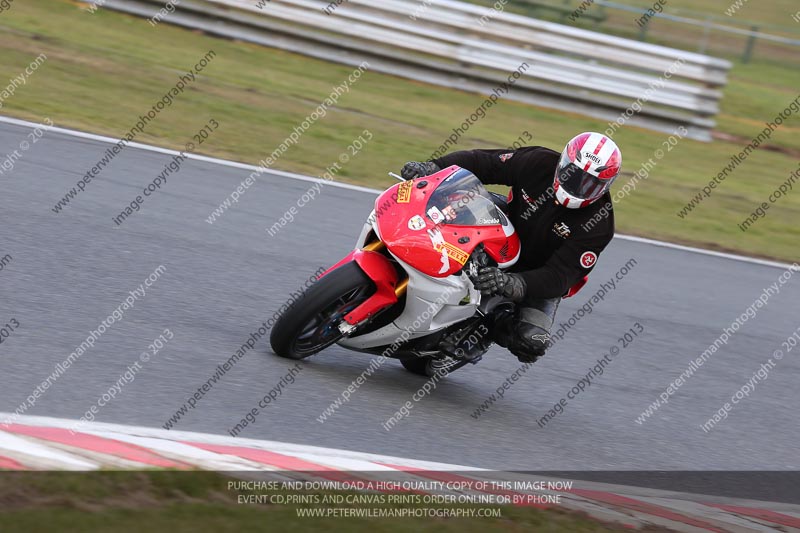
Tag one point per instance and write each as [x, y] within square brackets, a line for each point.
[588, 166]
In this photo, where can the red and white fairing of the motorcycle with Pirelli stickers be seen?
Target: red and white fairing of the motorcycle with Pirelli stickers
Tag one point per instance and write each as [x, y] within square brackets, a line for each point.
[430, 226]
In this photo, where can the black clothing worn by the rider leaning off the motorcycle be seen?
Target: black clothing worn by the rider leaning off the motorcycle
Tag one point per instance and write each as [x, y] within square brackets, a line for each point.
[559, 245]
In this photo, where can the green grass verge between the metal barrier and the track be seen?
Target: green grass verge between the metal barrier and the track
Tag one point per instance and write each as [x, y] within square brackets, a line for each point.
[105, 69]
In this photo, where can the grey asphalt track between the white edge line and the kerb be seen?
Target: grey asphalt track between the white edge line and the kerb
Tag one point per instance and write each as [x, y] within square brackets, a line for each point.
[71, 270]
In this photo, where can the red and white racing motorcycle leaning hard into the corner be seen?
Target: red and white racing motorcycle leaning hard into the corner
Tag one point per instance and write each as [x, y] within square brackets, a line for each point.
[405, 291]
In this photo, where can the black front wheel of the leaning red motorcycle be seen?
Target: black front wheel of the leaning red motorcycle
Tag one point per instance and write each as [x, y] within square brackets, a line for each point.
[311, 323]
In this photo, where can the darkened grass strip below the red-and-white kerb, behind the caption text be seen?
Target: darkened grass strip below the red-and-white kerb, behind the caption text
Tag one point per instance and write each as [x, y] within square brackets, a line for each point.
[200, 501]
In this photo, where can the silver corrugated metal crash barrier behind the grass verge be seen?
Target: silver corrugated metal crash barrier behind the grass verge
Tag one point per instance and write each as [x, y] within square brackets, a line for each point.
[469, 47]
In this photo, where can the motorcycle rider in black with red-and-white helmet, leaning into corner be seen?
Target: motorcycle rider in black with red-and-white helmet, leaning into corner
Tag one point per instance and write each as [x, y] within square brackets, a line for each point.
[552, 198]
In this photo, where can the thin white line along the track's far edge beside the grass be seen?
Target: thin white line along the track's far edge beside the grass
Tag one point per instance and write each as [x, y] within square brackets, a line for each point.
[292, 175]
